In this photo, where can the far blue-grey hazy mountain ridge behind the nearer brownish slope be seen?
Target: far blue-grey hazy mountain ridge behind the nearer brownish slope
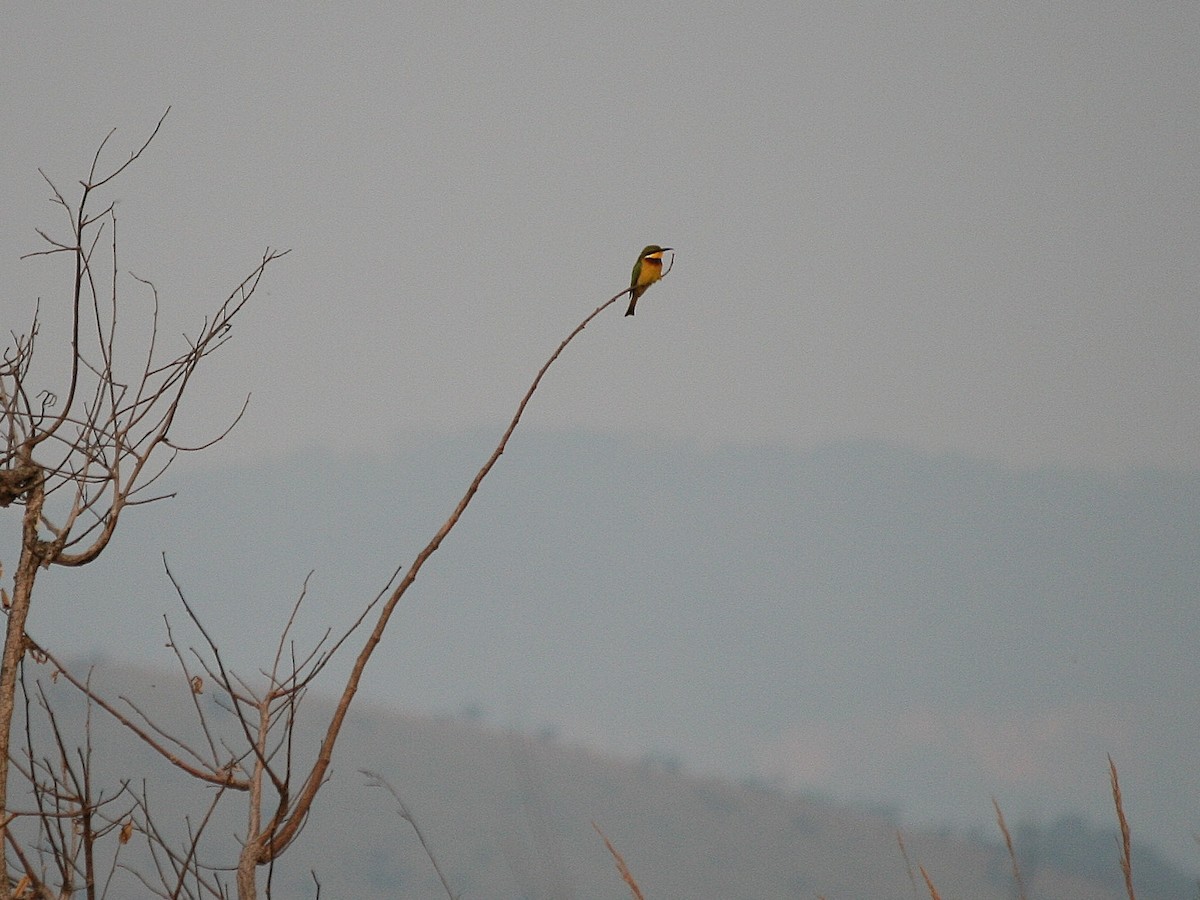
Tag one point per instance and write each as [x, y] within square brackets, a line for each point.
[883, 627]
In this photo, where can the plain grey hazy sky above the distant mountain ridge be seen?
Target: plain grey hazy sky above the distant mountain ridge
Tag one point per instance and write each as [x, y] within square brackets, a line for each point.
[953, 226]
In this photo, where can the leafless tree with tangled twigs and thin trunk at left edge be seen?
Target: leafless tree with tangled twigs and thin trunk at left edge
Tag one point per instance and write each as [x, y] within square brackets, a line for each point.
[95, 441]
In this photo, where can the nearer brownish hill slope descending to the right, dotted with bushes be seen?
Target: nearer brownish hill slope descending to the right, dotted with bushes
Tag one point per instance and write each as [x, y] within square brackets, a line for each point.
[511, 817]
